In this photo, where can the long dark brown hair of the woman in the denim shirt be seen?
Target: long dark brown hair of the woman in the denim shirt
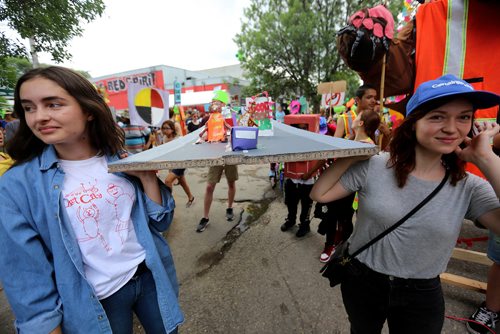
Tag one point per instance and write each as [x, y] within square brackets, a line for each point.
[104, 134]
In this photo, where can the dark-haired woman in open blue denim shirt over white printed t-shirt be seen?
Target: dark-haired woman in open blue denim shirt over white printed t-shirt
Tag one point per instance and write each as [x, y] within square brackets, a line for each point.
[80, 248]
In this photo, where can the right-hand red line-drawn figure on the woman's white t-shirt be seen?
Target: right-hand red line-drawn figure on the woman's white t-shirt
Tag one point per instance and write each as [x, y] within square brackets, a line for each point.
[120, 202]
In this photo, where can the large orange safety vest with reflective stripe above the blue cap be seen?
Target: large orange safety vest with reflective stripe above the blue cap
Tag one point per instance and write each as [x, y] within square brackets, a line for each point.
[460, 37]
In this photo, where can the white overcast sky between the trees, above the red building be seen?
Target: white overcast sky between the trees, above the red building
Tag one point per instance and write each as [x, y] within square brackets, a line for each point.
[134, 34]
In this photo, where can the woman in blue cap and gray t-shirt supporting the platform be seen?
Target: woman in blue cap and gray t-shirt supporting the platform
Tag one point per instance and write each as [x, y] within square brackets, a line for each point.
[398, 276]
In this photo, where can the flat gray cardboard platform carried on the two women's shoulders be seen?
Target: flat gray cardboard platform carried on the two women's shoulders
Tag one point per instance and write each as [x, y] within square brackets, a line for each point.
[286, 144]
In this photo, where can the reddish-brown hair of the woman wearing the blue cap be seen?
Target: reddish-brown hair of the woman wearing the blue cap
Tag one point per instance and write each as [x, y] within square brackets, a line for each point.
[404, 141]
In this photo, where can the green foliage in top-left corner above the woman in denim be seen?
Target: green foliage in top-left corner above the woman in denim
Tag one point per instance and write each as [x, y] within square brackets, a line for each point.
[51, 24]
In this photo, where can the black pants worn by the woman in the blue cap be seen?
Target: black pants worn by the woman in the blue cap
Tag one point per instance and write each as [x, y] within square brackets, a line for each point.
[410, 306]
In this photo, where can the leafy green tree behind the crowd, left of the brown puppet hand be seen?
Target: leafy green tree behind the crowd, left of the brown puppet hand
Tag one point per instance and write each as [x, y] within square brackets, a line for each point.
[287, 47]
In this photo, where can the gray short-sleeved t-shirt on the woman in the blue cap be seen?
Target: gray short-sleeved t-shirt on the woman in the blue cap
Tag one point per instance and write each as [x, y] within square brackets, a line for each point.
[421, 246]
